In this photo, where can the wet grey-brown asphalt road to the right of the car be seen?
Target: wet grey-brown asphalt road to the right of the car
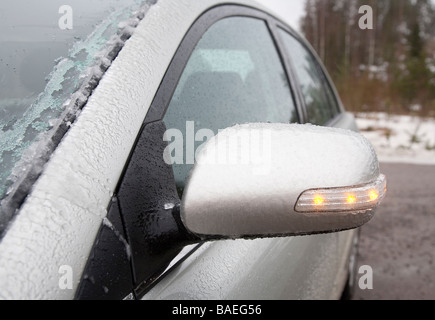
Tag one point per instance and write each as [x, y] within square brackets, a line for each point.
[399, 242]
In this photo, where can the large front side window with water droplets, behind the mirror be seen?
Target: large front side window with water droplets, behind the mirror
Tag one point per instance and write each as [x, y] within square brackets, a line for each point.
[233, 76]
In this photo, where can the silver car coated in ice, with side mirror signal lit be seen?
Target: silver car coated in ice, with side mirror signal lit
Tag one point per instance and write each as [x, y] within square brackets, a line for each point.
[182, 150]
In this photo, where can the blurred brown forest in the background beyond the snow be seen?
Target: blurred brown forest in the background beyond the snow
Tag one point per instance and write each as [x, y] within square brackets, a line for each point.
[390, 68]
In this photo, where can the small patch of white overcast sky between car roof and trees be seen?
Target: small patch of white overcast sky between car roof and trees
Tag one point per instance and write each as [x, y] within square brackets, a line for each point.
[290, 10]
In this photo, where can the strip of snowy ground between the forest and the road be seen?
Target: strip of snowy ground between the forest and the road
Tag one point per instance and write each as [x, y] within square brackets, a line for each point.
[400, 139]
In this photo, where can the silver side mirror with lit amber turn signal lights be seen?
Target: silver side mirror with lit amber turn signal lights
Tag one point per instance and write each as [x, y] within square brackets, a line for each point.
[269, 180]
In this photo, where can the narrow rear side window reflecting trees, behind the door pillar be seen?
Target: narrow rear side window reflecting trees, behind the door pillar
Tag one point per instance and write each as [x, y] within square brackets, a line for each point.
[319, 99]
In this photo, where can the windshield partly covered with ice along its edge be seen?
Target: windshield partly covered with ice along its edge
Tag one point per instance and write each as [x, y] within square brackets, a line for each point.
[44, 48]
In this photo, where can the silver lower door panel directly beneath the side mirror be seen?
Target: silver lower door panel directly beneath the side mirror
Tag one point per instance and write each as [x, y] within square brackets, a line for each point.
[305, 268]
